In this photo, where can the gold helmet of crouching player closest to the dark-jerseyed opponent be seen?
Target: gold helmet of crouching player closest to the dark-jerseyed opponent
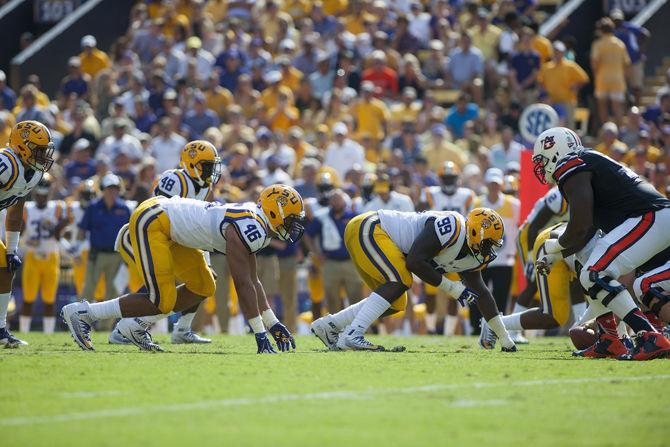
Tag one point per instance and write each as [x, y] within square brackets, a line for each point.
[484, 233]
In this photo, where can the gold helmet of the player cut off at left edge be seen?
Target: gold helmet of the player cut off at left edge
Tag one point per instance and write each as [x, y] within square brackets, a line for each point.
[31, 141]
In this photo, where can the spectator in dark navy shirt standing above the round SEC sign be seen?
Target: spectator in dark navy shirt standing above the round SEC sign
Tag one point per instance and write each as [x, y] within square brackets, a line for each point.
[524, 68]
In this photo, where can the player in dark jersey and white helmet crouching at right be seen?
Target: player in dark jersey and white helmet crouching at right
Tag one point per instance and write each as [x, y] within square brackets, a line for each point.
[632, 214]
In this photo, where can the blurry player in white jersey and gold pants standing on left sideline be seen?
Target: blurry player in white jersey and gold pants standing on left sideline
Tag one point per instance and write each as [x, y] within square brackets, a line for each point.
[44, 220]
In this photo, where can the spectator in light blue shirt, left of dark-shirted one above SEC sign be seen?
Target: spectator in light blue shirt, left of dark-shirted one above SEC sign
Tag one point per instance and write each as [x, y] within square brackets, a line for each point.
[466, 68]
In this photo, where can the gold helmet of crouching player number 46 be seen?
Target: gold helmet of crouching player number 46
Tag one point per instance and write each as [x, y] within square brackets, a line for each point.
[285, 211]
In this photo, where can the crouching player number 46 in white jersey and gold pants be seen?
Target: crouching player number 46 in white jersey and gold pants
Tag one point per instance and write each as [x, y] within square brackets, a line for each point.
[168, 237]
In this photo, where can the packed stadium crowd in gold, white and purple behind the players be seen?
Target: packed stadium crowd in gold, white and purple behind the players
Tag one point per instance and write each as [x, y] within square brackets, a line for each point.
[358, 104]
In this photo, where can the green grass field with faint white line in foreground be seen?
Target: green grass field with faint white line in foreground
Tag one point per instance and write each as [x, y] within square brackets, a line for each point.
[439, 392]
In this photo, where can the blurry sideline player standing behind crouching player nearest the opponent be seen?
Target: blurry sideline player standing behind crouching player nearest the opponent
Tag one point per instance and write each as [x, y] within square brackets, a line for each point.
[449, 196]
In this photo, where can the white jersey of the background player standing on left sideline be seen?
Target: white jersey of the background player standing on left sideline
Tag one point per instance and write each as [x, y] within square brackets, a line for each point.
[40, 224]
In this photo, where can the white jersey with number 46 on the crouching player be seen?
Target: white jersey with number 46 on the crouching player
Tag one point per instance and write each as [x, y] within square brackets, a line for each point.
[202, 225]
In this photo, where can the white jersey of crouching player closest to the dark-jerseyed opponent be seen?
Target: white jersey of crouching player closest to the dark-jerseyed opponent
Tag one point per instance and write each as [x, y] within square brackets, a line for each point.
[404, 229]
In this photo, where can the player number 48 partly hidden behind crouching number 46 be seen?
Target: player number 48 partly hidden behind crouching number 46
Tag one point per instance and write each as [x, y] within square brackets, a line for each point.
[200, 169]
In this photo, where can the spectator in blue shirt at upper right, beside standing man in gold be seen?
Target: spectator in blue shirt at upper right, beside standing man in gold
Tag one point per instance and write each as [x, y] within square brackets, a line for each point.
[635, 38]
